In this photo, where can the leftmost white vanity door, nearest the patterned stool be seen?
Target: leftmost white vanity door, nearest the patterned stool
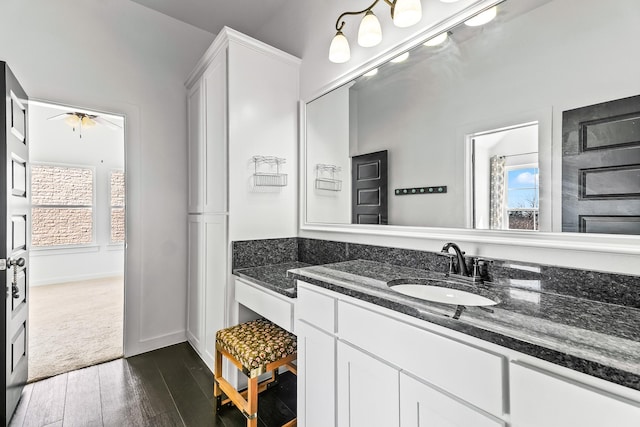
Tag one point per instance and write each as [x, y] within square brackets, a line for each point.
[316, 377]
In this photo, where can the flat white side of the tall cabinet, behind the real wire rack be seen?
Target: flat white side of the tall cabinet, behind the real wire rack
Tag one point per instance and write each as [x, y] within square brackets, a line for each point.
[261, 124]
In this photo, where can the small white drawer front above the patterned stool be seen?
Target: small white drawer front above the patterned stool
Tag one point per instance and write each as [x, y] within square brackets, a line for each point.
[271, 305]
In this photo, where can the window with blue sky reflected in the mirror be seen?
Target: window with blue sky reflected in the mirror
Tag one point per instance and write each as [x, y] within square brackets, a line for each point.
[523, 197]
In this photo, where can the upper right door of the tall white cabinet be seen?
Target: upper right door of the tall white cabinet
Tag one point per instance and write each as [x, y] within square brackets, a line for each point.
[214, 82]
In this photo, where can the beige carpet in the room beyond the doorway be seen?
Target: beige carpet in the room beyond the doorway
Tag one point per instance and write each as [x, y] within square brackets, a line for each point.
[74, 325]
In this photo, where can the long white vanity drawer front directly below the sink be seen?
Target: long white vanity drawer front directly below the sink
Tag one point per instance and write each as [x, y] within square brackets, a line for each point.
[469, 373]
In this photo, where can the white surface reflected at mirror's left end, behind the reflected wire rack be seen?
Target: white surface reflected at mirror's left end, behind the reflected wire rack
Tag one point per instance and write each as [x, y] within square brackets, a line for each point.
[328, 136]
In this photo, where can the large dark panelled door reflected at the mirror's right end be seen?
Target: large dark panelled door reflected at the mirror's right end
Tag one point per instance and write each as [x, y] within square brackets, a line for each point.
[601, 168]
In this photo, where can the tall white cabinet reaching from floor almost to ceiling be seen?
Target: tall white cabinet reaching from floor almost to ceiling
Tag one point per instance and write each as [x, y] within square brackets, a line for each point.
[242, 101]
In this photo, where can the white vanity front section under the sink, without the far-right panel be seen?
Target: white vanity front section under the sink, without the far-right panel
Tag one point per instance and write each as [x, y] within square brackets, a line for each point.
[384, 371]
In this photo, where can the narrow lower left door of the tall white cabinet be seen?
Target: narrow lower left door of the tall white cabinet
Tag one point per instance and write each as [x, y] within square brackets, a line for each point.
[194, 283]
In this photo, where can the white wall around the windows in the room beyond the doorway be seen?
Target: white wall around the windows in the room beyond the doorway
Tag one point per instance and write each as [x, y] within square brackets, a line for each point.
[100, 148]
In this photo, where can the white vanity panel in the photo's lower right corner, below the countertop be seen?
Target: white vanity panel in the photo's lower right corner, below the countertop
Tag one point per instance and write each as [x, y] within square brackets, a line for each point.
[540, 398]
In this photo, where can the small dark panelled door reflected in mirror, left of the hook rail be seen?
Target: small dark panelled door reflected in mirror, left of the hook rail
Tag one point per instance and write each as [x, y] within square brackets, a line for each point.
[369, 188]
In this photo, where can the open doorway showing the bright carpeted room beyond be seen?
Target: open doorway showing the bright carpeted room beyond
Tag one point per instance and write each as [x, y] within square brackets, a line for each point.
[77, 237]
